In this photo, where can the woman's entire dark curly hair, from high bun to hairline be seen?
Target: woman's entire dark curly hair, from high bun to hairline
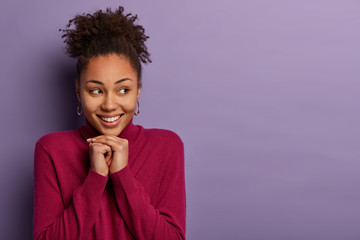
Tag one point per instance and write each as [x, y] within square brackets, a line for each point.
[106, 32]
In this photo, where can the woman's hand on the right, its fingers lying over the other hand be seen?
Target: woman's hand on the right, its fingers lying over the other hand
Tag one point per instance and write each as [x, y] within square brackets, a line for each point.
[119, 151]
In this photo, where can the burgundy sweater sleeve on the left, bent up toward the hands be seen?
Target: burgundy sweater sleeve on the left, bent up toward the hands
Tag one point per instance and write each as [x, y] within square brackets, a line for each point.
[51, 220]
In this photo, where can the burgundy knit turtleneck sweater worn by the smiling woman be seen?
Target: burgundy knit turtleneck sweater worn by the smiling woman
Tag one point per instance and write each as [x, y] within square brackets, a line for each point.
[145, 200]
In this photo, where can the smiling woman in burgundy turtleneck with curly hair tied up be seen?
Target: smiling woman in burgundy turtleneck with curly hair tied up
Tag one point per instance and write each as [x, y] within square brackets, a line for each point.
[109, 179]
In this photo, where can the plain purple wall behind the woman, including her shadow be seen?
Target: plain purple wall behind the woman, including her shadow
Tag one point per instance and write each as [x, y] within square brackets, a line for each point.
[264, 94]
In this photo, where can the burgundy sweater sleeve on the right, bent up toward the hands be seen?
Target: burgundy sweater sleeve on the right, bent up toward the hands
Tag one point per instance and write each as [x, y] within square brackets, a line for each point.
[166, 221]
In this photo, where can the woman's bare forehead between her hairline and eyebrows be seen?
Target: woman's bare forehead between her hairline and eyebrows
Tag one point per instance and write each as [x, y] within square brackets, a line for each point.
[109, 69]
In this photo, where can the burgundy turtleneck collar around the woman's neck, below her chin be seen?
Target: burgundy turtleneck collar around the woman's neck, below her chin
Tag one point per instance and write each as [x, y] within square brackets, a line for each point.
[129, 132]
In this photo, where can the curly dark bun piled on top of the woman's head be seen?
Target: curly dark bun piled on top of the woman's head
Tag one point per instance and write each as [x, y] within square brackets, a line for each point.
[84, 30]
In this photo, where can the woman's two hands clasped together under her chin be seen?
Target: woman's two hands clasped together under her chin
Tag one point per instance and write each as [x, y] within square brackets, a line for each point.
[108, 154]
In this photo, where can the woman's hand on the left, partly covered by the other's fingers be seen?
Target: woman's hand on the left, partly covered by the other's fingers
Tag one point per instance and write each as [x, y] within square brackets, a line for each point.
[100, 157]
